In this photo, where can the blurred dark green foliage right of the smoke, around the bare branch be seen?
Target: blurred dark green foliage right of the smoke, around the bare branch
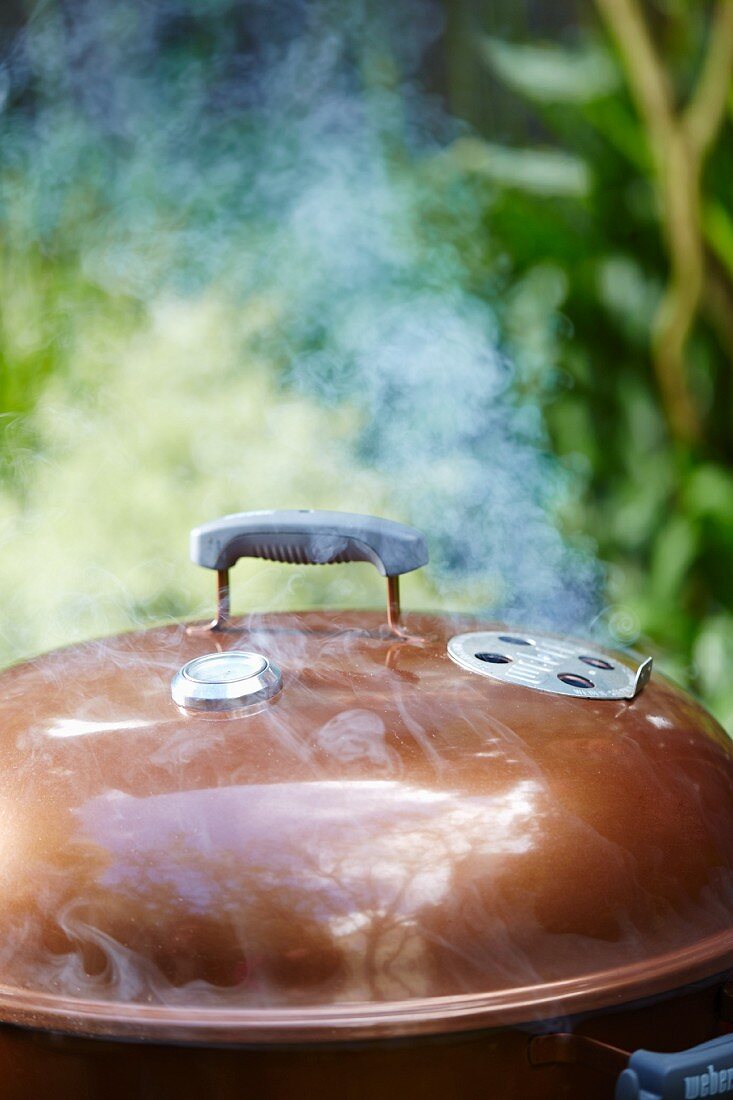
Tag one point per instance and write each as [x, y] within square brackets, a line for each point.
[581, 207]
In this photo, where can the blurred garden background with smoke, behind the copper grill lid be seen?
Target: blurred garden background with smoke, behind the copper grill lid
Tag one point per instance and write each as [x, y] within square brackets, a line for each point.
[466, 265]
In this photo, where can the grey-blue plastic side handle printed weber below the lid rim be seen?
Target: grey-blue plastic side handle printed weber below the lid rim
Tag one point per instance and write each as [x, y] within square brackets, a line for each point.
[705, 1071]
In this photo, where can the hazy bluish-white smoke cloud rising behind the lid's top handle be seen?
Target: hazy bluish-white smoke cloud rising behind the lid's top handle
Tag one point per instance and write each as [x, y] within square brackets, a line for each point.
[240, 270]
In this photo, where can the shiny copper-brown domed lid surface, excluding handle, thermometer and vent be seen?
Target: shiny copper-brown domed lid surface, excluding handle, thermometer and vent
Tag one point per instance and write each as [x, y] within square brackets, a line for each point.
[391, 844]
